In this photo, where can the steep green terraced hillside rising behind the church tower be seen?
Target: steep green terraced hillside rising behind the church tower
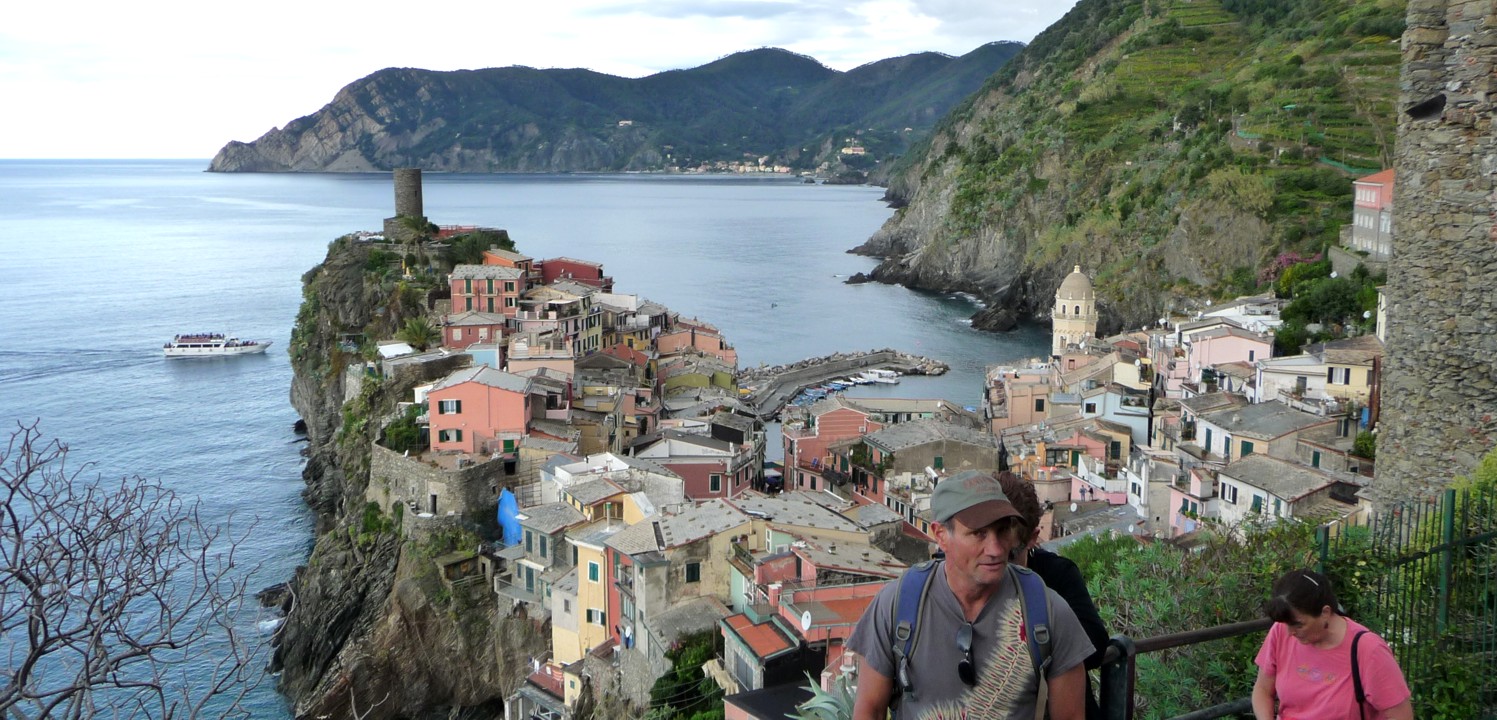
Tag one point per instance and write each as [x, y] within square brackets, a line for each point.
[1170, 147]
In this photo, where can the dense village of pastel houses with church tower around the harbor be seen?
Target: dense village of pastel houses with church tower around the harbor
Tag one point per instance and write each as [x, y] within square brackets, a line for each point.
[613, 438]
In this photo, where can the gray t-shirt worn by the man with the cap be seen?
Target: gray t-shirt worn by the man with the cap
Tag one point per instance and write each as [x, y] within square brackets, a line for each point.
[1007, 686]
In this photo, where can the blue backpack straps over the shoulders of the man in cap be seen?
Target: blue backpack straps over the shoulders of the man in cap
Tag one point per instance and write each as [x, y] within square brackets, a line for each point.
[909, 605]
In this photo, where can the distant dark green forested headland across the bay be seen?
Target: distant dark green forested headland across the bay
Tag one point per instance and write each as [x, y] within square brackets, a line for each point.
[758, 104]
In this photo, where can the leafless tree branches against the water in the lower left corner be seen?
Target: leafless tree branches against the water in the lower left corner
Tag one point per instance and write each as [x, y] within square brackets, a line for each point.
[116, 598]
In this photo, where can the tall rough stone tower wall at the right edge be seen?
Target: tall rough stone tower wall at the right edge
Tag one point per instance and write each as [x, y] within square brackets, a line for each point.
[1441, 370]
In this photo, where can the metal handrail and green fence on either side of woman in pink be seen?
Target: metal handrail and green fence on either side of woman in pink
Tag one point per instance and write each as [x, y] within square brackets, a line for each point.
[1423, 576]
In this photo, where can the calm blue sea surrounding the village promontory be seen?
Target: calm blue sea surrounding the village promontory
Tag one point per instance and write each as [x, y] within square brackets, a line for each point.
[104, 261]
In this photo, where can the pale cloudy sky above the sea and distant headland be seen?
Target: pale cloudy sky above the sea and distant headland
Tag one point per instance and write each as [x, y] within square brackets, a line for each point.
[179, 80]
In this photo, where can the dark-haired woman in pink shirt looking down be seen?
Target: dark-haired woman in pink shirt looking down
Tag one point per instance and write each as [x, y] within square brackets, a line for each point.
[1306, 662]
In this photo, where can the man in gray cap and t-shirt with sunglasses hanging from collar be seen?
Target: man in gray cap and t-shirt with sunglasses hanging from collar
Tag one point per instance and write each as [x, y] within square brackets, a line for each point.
[971, 655]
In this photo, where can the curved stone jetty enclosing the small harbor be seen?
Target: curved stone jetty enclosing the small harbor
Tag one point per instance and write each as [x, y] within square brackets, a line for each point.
[775, 385]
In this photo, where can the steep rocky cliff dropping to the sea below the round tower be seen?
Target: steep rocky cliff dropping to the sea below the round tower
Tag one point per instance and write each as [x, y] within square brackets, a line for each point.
[371, 626]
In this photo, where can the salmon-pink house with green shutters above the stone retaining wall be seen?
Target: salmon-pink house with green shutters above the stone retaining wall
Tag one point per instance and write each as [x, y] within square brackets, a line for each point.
[480, 409]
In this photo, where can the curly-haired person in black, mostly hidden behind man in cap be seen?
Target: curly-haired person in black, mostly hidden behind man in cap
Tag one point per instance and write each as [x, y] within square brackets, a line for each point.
[1061, 574]
